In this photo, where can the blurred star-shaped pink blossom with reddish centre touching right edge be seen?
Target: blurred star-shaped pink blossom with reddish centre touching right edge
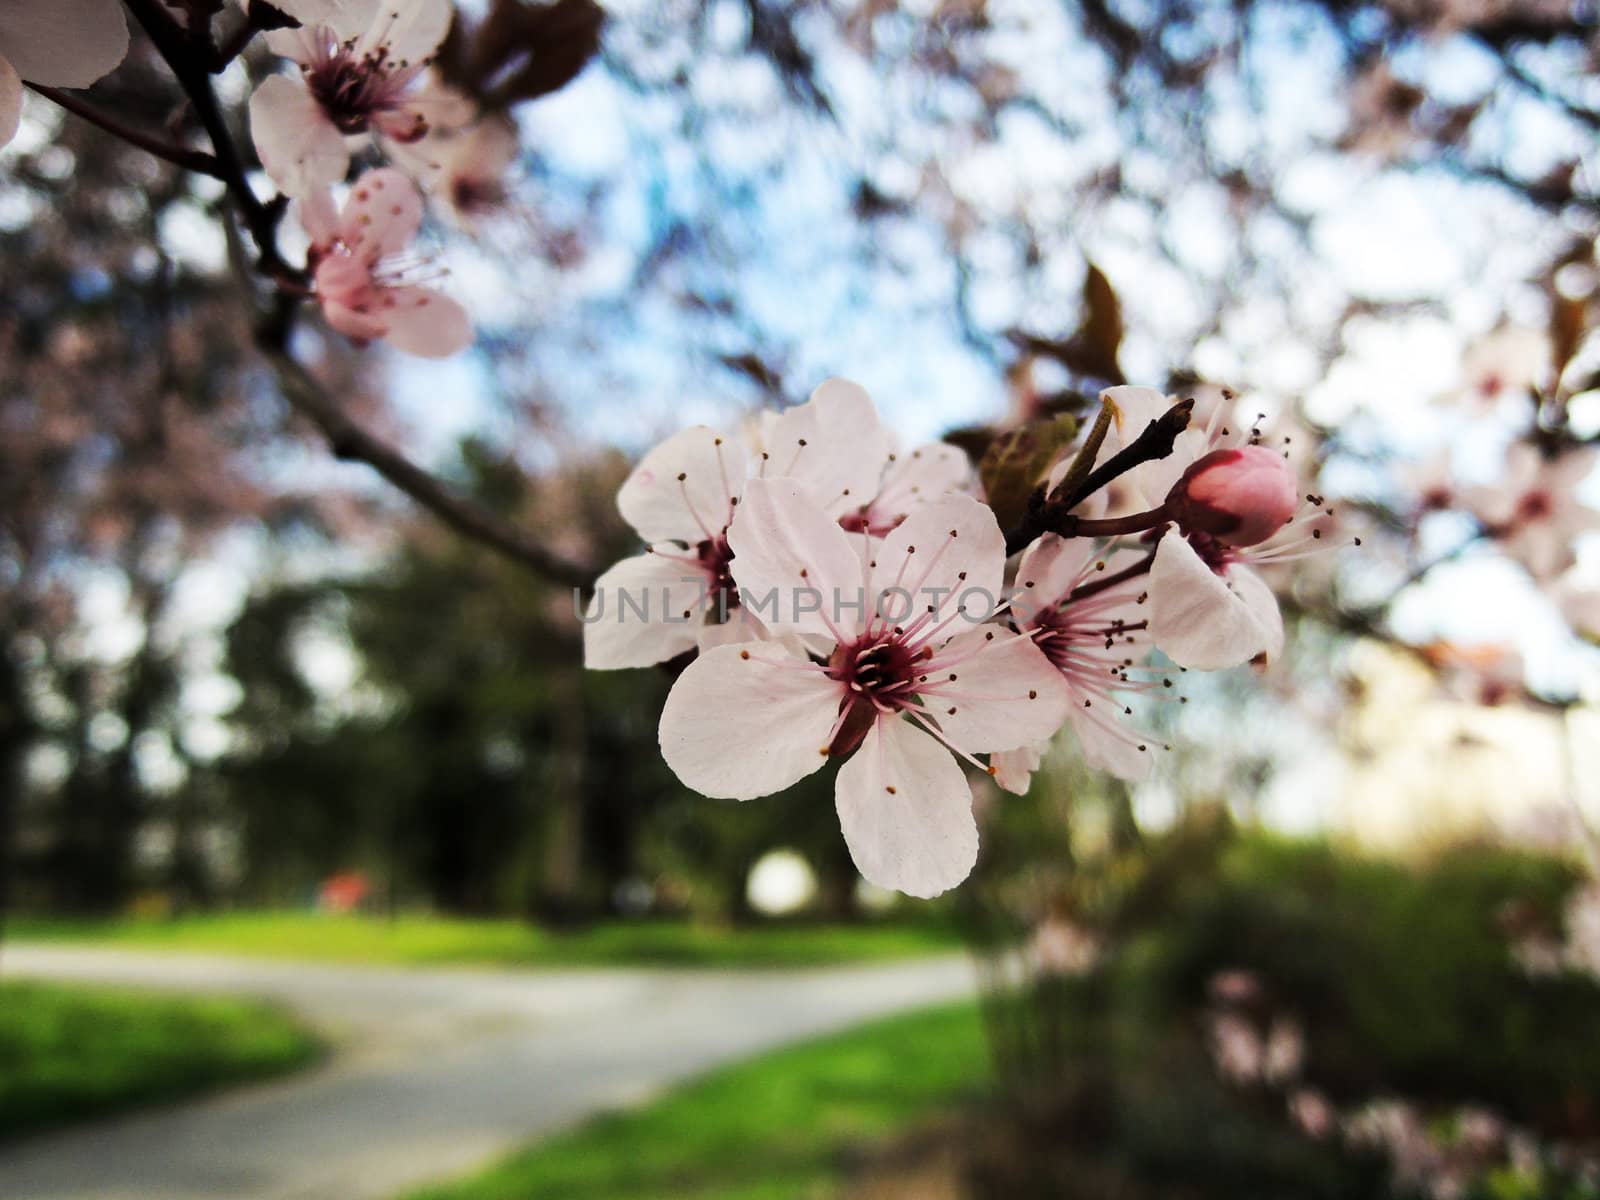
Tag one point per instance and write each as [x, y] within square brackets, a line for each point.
[1534, 513]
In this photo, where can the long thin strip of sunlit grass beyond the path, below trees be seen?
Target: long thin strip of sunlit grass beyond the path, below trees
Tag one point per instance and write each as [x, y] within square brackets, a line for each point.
[423, 940]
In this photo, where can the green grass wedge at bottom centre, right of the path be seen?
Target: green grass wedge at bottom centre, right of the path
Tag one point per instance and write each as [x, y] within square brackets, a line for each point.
[782, 1126]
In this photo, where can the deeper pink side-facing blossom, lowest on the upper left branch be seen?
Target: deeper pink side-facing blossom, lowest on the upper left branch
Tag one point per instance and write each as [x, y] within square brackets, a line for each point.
[366, 284]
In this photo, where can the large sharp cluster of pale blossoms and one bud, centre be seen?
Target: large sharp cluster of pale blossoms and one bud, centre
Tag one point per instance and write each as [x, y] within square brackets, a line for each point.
[833, 598]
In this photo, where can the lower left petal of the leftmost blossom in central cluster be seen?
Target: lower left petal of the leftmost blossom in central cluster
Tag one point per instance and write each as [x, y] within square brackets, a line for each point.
[646, 610]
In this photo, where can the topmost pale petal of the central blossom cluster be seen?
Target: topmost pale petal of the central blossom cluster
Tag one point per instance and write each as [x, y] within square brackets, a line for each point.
[833, 444]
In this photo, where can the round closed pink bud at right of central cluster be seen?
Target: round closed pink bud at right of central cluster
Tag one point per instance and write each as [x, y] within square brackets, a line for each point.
[1241, 497]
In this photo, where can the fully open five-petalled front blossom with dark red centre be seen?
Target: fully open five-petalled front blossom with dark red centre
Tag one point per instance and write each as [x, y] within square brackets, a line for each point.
[903, 692]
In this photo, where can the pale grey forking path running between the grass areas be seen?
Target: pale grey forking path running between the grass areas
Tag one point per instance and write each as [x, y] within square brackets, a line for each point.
[436, 1071]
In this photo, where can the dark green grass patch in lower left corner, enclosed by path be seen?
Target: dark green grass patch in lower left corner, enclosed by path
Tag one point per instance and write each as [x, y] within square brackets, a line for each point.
[73, 1052]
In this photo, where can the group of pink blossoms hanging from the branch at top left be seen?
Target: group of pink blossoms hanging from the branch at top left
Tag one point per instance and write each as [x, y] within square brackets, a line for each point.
[361, 78]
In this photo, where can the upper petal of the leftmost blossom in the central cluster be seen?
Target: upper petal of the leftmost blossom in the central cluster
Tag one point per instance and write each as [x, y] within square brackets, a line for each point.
[665, 508]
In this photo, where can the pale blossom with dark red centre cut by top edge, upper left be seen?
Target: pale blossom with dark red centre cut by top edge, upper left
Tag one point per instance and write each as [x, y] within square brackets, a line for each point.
[361, 74]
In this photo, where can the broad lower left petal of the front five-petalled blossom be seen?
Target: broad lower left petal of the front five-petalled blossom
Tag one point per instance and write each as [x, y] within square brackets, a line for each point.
[748, 721]
